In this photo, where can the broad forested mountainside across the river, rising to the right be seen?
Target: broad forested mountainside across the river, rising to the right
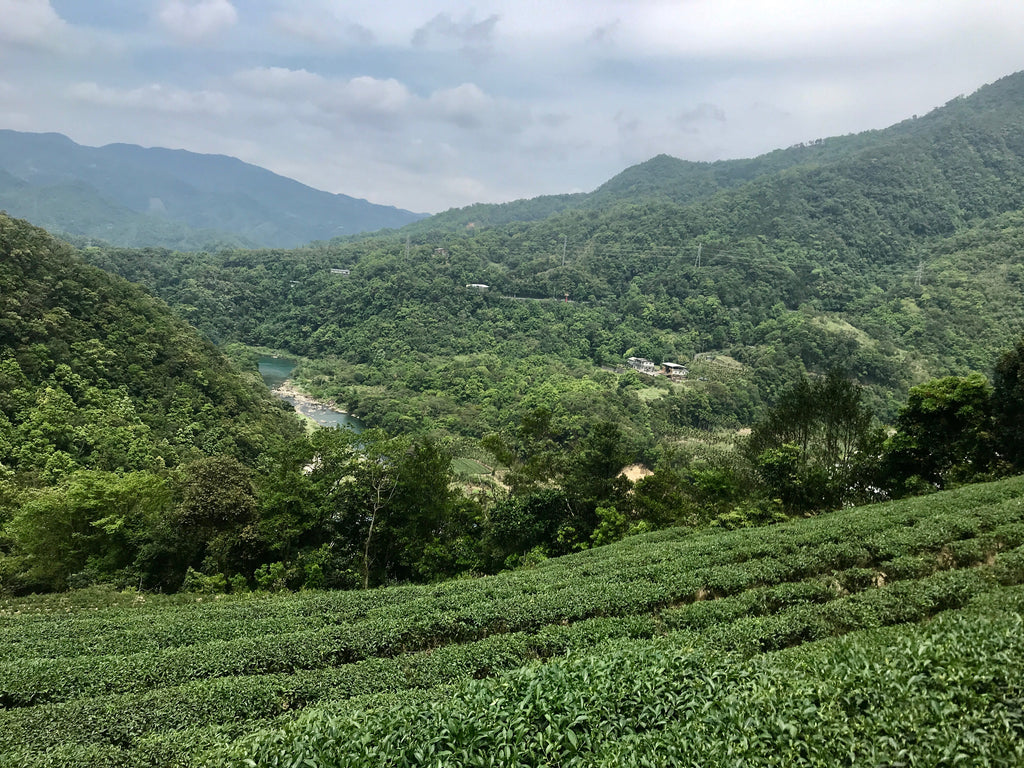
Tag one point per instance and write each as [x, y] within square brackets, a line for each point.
[893, 255]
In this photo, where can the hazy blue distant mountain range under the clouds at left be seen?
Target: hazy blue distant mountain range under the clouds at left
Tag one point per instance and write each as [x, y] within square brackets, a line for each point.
[134, 196]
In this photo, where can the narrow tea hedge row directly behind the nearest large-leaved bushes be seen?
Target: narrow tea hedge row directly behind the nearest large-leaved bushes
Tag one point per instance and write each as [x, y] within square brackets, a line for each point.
[122, 720]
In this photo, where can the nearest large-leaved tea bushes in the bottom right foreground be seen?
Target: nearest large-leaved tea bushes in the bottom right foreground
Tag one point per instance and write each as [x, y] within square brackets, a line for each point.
[922, 694]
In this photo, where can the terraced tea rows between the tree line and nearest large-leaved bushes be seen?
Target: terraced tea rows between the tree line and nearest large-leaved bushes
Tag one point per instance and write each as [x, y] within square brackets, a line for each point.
[130, 680]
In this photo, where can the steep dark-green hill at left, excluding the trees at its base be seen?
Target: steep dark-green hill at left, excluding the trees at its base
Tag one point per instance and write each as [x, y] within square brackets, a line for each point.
[97, 375]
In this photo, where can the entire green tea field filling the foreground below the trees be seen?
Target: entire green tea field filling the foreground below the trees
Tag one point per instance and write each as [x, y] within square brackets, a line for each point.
[884, 635]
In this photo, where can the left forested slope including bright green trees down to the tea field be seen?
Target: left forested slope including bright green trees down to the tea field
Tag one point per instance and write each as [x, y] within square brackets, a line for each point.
[104, 393]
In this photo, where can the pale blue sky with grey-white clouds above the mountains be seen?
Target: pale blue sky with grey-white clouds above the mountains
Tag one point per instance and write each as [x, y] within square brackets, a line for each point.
[430, 105]
